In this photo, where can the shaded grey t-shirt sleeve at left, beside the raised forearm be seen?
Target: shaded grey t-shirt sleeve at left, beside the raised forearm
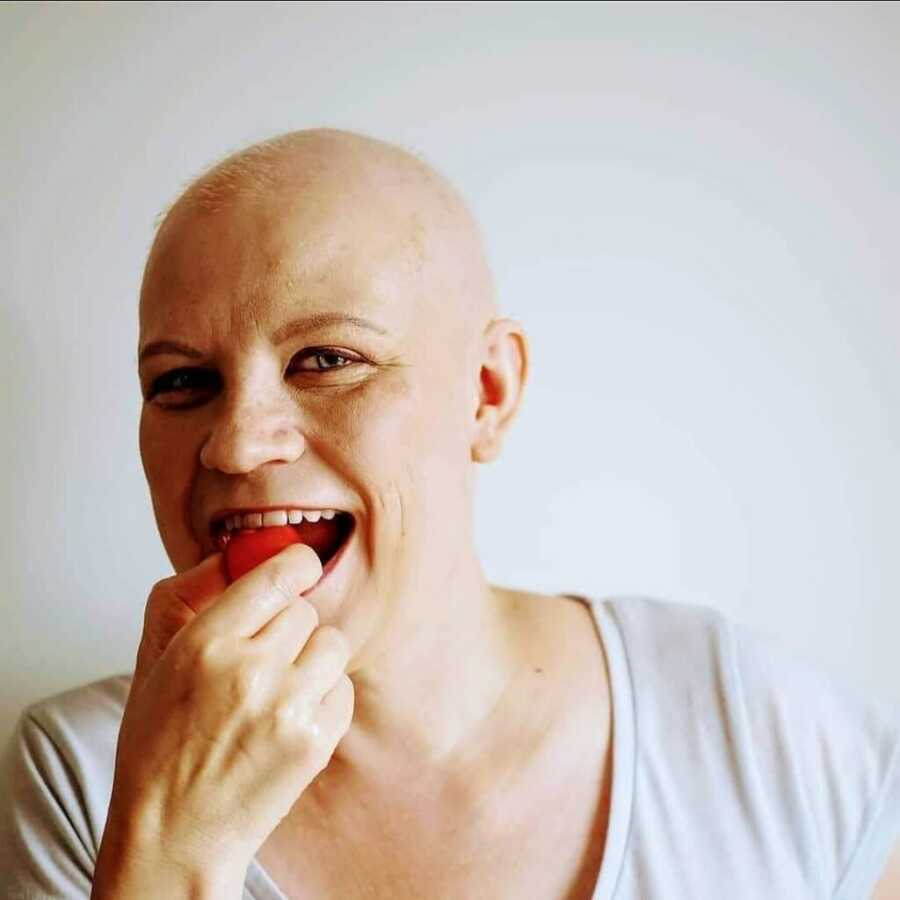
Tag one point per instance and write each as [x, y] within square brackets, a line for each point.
[45, 844]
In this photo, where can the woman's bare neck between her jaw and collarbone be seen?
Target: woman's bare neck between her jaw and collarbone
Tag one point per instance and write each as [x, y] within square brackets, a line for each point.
[428, 691]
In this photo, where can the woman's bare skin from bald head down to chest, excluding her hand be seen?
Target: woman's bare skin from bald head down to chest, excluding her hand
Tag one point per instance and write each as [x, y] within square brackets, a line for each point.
[459, 685]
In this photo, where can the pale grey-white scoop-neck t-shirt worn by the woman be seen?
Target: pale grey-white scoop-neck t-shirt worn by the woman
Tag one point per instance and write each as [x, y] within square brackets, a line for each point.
[739, 771]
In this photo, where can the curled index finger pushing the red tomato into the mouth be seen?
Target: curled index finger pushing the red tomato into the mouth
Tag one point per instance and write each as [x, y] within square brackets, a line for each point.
[251, 601]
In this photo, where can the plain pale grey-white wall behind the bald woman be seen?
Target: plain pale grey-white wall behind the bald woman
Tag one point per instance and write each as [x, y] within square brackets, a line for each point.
[693, 209]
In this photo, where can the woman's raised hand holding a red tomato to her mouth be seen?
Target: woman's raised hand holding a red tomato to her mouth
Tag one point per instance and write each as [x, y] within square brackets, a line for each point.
[238, 701]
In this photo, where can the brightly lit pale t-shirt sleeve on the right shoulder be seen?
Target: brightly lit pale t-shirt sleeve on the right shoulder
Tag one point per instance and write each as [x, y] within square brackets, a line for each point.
[833, 754]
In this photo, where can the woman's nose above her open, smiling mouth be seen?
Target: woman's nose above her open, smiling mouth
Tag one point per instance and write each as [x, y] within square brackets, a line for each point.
[253, 431]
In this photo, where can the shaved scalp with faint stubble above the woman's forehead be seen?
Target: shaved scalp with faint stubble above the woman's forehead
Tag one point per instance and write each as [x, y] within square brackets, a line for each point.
[339, 174]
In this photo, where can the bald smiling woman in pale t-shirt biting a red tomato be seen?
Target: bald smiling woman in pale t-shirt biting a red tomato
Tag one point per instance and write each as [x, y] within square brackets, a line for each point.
[362, 714]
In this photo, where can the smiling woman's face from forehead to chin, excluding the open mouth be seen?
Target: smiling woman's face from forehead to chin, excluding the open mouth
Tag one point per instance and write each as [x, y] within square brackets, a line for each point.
[262, 395]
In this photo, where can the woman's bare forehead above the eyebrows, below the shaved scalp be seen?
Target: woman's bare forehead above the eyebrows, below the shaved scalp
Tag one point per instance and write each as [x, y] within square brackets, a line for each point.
[269, 256]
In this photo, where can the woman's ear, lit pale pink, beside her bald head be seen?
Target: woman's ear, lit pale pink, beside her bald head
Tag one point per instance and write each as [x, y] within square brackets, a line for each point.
[501, 383]
